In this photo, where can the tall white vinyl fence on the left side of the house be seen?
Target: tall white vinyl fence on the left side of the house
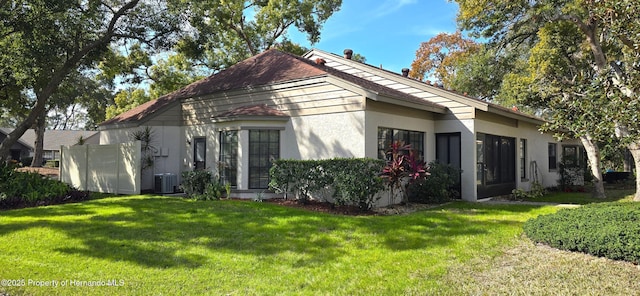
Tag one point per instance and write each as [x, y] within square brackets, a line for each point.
[102, 168]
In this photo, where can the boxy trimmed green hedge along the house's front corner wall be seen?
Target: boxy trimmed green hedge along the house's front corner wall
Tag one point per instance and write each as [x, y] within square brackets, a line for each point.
[343, 181]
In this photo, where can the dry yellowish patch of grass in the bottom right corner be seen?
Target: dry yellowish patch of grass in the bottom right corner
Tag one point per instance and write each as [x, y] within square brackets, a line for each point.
[535, 269]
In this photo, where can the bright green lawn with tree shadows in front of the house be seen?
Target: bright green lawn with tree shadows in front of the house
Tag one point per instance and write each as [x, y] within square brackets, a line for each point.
[162, 245]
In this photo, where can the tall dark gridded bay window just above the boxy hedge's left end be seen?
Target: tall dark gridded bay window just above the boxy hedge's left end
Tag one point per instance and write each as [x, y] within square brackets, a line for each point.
[264, 146]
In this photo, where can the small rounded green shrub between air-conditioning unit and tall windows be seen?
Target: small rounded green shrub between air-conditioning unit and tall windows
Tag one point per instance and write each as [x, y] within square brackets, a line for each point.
[200, 185]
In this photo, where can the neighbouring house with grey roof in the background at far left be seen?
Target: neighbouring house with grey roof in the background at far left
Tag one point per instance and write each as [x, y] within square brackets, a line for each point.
[53, 139]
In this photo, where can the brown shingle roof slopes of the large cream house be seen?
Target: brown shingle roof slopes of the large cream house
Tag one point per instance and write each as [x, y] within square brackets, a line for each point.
[271, 66]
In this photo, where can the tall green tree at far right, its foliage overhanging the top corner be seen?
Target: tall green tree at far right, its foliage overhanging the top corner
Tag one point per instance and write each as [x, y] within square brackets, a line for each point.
[608, 29]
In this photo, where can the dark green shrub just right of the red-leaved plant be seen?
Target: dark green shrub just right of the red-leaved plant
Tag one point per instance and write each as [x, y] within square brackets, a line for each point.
[436, 186]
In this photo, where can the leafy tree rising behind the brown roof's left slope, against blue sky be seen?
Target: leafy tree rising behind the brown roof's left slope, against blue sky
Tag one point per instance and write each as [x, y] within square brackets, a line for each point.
[226, 32]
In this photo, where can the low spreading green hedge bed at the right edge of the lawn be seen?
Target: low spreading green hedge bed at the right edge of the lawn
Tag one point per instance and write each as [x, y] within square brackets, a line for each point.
[610, 230]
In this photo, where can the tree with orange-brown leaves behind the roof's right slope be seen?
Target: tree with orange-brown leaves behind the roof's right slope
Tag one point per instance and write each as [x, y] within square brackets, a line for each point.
[438, 57]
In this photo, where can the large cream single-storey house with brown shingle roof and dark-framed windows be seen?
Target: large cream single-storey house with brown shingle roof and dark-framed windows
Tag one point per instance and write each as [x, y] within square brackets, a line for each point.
[278, 105]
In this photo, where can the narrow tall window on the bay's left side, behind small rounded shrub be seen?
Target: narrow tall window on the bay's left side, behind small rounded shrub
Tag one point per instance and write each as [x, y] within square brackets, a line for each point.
[229, 157]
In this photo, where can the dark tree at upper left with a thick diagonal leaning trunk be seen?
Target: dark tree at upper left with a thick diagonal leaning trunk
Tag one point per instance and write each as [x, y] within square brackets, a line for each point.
[48, 40]
